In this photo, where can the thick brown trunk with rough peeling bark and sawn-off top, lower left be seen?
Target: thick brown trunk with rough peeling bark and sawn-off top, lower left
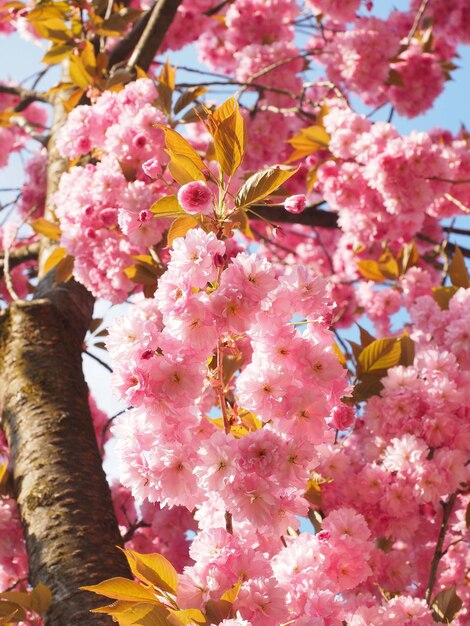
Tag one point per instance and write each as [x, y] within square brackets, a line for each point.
[68, 518]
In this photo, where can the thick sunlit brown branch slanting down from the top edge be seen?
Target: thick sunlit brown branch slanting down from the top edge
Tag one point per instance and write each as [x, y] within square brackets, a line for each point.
[161, 17]
